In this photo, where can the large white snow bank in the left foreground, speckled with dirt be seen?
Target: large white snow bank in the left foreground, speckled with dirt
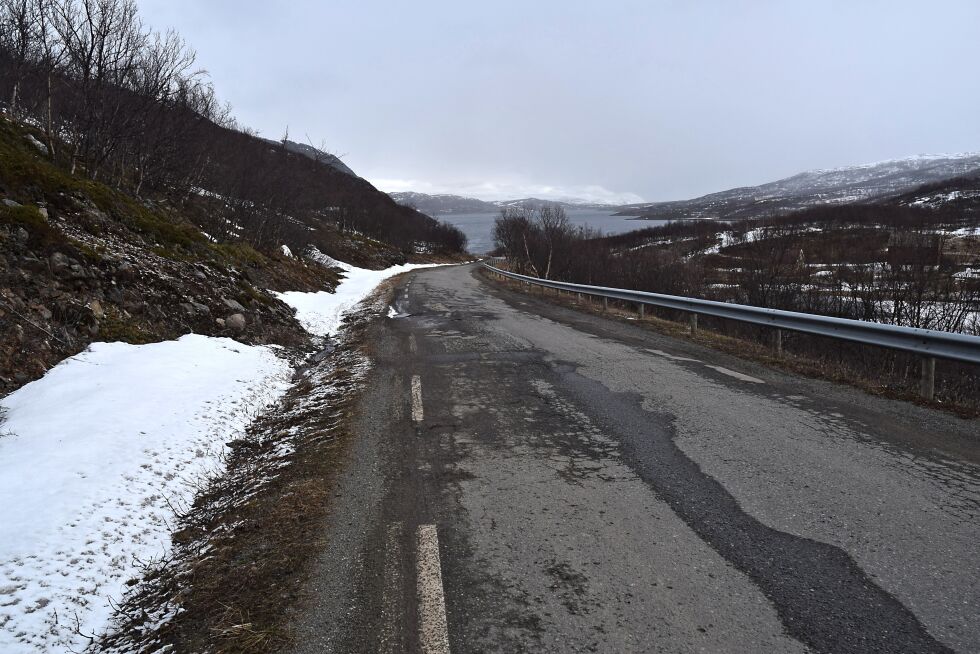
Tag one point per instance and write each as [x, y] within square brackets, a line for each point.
[90, 456]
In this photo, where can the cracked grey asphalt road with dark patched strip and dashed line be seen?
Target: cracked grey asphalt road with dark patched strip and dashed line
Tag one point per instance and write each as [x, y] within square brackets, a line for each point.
[529, 478]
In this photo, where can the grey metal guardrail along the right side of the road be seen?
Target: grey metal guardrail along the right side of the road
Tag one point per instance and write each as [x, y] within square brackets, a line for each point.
[928, 343]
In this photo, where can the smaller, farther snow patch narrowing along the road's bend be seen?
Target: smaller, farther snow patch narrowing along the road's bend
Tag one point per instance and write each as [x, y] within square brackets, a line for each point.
[320, 313]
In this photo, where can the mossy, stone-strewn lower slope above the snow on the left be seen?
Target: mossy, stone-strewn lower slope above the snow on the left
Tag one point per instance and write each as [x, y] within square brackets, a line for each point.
[81, 262]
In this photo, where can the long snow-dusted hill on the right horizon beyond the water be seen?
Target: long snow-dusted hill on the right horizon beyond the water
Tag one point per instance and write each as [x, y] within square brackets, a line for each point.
[815, 188]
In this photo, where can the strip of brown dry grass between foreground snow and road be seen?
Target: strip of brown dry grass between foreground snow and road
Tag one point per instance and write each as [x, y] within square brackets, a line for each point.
[244, 550]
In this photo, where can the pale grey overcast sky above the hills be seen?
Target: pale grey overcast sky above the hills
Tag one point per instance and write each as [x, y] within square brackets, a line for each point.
[607, 100]
